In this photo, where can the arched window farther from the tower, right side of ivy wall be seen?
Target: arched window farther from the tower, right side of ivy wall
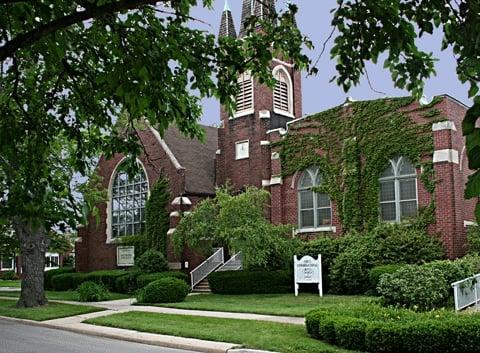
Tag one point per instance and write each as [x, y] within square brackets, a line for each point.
[398, 191]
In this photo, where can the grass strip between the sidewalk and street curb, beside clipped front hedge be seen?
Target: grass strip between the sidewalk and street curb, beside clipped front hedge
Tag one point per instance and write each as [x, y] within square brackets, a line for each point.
[252, 334]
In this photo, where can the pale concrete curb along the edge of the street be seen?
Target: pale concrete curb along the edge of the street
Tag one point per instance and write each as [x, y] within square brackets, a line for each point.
[176, 342]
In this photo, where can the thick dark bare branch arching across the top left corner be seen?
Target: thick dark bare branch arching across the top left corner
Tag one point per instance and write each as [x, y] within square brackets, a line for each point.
[28, 38]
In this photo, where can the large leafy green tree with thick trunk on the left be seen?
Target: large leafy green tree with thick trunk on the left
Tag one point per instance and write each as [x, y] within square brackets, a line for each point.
[68, 67]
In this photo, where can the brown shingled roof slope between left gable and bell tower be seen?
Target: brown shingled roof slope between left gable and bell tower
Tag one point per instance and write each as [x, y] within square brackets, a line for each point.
[196, 157]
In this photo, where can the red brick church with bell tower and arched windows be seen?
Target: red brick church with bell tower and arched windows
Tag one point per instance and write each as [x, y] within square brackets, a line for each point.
[244, 151]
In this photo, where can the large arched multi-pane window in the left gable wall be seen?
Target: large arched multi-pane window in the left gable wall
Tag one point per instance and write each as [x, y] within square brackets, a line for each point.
[128, 199]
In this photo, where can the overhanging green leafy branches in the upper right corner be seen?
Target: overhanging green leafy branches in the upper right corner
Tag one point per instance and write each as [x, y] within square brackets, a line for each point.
[370, 28]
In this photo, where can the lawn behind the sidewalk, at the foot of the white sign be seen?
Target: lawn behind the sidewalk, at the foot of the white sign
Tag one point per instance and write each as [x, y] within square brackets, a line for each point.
[272, 304]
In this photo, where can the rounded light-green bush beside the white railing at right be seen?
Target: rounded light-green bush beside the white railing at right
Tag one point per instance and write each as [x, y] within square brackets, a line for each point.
[415, 287]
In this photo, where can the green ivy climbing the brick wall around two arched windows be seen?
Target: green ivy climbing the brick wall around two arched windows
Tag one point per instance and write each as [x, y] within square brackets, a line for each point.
[352, 145]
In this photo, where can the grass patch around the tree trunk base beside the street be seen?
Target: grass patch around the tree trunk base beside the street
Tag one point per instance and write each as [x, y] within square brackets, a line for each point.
[46, 312]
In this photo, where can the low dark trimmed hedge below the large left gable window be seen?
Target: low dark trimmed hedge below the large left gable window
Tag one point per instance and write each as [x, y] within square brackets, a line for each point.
[70, 281]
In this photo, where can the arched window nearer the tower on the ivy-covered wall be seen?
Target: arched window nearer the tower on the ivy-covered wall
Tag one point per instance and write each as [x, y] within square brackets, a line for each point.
[314, 209]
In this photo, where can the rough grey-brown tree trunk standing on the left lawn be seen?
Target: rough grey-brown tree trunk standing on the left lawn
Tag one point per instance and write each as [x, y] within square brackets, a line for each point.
[33, 244]
